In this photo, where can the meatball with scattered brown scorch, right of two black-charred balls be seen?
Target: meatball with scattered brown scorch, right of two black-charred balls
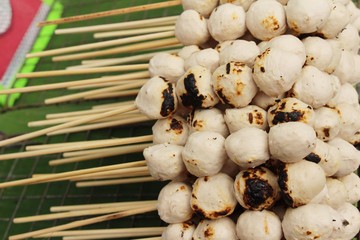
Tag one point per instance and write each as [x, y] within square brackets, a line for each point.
[233, 84]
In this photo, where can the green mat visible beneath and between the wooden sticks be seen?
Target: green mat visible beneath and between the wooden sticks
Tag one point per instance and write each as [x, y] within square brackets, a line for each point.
[37, 199]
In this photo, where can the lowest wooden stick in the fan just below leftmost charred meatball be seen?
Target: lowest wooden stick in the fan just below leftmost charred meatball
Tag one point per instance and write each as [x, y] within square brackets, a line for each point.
[101, 125]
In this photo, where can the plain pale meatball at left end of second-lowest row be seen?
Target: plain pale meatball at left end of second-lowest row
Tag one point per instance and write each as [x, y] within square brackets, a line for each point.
[174, 203]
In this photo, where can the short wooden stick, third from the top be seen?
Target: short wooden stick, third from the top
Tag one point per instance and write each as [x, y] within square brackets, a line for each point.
[137, 31]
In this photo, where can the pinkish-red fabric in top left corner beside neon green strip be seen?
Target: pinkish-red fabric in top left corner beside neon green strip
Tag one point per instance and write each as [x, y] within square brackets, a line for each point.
[23, 13]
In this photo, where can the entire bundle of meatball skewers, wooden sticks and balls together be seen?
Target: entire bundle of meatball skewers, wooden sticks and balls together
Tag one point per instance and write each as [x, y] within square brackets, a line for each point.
[257, 122]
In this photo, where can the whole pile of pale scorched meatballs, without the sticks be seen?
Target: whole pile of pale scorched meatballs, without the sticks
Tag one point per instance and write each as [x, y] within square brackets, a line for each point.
[258, 121]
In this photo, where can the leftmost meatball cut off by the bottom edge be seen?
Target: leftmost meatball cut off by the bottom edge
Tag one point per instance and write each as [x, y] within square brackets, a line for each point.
[180, 231]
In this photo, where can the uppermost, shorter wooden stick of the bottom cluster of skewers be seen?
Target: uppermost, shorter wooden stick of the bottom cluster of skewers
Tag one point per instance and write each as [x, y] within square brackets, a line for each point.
[96, 206]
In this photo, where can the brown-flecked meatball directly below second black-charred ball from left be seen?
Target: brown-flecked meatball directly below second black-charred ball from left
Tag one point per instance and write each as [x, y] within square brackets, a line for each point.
[208, 120]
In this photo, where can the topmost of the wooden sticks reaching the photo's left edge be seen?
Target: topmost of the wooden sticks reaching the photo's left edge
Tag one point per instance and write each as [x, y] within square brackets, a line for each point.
[46, 87]
